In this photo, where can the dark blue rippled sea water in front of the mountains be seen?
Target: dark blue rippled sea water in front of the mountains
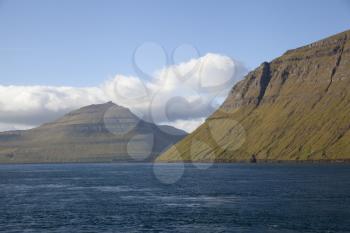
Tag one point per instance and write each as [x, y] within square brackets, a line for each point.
[130, 198]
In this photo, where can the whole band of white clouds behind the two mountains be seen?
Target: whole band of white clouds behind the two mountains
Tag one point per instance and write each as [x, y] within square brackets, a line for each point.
[181, 95]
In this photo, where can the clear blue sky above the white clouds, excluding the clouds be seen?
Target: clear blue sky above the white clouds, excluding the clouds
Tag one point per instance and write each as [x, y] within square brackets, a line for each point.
[83, 42]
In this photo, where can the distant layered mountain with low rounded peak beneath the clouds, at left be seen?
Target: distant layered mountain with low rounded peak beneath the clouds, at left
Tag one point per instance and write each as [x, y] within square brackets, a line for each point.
[97, 133]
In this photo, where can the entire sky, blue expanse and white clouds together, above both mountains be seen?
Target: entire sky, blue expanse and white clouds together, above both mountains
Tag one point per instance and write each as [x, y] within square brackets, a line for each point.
[59, 55]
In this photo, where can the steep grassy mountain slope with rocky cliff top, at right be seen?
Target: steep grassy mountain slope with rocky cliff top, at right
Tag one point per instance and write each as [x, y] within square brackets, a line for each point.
[294, 108]
